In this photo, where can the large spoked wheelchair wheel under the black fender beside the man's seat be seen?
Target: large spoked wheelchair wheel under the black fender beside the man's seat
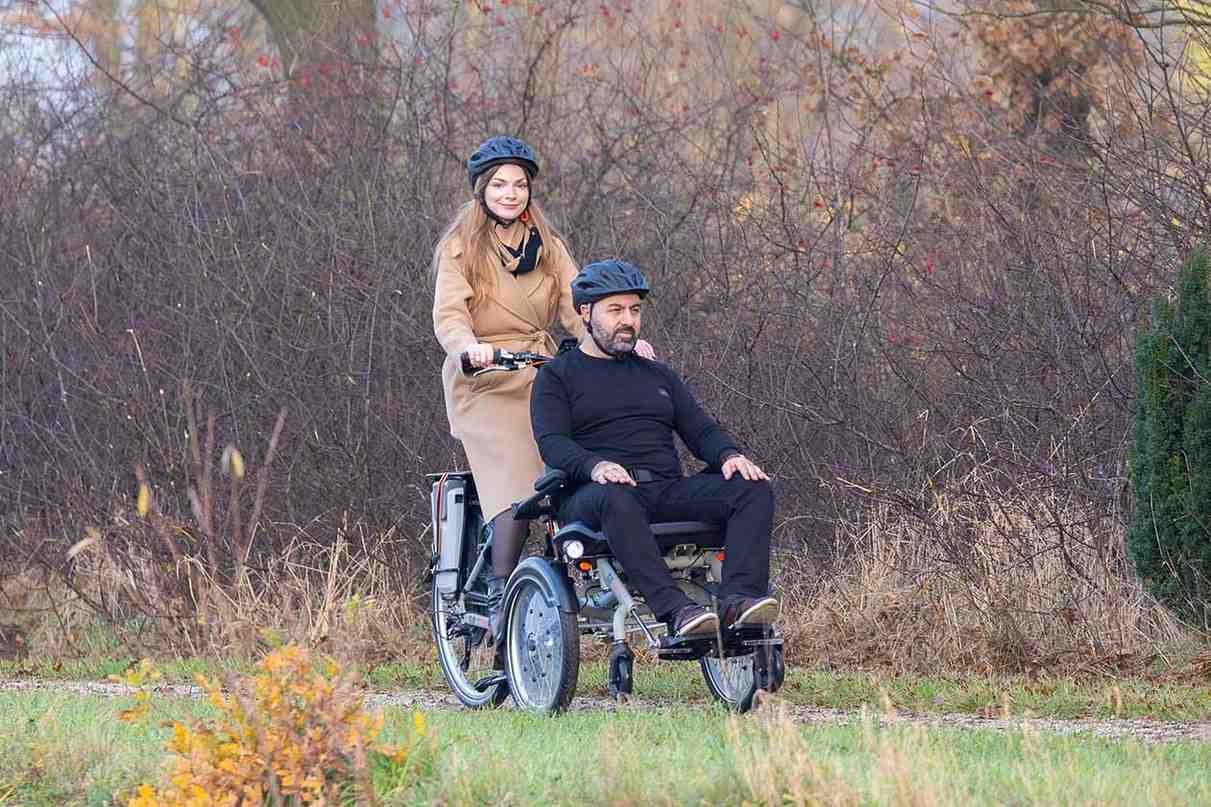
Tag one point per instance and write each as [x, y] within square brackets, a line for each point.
[543, 642]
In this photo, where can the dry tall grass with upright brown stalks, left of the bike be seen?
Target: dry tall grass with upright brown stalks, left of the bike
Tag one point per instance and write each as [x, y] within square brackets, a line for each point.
[215, 582]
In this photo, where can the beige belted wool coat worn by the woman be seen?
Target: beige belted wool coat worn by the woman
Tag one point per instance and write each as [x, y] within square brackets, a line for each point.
[490, 414]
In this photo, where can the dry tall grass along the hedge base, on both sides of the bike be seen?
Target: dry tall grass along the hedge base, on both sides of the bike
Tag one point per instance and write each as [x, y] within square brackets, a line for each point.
[969, 580]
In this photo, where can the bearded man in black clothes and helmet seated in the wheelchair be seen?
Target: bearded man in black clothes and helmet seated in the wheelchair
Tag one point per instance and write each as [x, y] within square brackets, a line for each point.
[606, 416]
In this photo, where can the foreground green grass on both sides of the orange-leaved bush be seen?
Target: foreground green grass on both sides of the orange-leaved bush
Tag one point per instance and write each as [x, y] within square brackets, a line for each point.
[59, 748]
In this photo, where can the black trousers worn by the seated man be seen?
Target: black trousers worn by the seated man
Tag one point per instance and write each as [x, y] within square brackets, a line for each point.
[625, 514]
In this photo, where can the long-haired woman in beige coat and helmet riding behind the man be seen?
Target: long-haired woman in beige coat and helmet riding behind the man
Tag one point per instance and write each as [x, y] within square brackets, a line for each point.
[503, 279]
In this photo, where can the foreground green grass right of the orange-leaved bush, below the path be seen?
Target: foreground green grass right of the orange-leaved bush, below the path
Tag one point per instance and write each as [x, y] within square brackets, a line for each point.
[685, 756]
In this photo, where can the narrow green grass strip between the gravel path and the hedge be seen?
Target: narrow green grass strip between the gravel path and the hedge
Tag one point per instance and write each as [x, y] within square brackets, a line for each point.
[682, 683]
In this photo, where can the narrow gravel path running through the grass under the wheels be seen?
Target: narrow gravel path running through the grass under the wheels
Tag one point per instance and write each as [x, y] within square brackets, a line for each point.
[1145, 731]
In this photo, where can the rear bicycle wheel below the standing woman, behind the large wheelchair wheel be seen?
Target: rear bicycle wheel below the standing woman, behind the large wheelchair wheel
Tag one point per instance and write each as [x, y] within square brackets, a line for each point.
[467, 656]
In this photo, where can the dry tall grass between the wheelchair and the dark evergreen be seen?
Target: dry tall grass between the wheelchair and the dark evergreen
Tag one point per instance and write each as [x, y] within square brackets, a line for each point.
[975, 579]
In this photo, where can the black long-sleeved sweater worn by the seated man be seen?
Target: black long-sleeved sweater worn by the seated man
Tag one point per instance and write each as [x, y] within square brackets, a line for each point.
[587, 410]
